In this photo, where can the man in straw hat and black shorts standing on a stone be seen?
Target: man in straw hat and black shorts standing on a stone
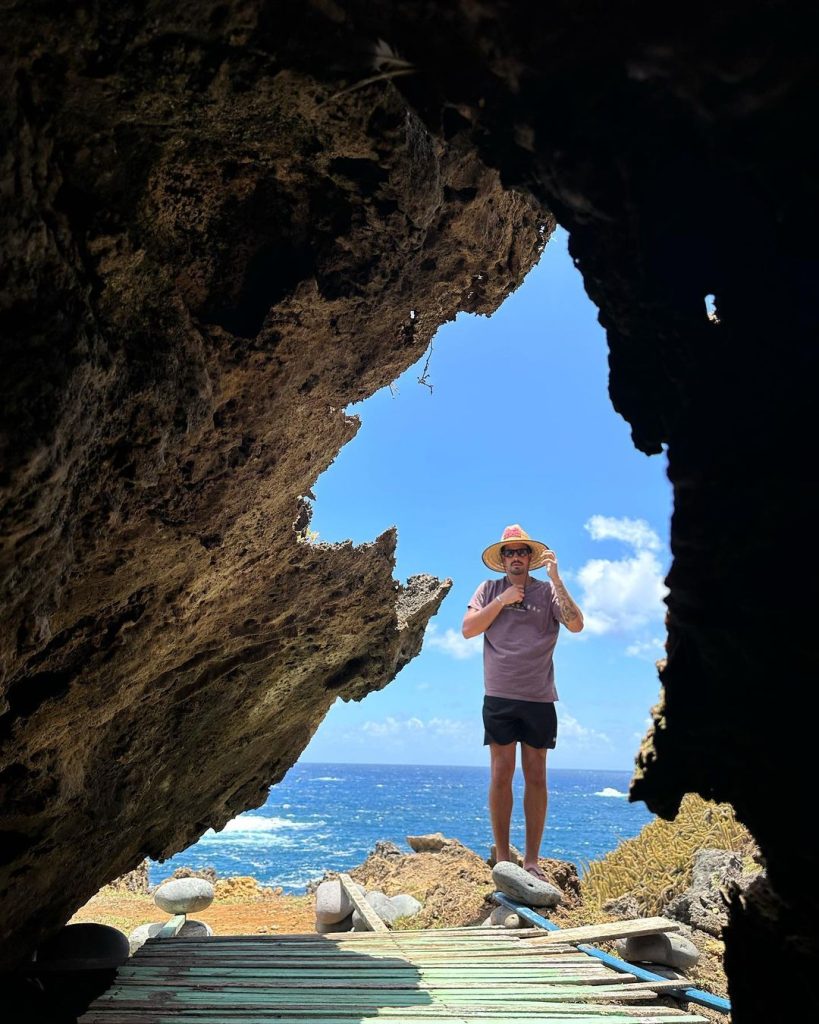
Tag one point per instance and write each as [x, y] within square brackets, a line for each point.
[521, 618]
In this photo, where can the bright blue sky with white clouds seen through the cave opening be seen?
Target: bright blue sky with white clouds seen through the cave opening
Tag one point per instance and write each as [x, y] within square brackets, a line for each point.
[519, 429]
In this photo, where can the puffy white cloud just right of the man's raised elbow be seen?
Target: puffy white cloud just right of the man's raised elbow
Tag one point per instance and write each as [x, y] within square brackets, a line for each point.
[623, 595]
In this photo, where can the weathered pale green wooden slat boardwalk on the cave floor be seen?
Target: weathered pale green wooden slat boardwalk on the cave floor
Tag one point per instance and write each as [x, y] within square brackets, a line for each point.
[461, 976]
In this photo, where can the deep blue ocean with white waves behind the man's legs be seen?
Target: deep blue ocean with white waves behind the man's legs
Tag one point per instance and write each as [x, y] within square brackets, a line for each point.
[330, 817]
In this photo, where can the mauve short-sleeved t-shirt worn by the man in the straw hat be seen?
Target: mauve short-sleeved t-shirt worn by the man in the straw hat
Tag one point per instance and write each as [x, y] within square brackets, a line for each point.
[520, 645]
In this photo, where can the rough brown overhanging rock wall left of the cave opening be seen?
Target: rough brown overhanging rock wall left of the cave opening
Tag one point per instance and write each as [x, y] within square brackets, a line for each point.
[208, 255]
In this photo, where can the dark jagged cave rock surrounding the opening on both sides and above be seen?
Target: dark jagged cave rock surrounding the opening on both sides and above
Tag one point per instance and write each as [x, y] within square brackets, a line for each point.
[219, 219]
